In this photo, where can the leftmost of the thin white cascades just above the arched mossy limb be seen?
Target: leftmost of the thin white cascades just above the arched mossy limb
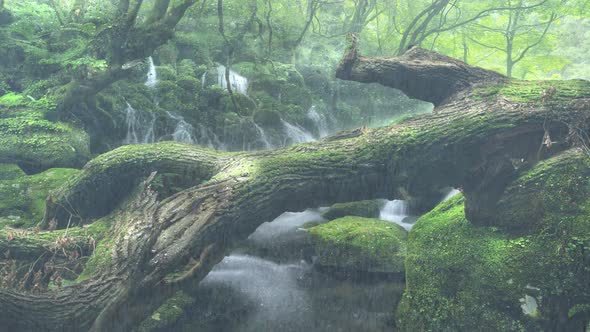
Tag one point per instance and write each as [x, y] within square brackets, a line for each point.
[140, 126]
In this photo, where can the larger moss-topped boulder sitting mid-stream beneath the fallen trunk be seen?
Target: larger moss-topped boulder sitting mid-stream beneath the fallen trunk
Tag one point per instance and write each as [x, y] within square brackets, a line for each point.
[354, 244]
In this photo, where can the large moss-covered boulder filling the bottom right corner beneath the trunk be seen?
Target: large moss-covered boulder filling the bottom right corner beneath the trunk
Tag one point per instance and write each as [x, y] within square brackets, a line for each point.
[462, 277]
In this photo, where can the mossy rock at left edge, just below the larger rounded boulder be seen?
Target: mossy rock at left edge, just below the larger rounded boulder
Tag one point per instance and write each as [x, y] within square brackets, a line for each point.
[22, 198]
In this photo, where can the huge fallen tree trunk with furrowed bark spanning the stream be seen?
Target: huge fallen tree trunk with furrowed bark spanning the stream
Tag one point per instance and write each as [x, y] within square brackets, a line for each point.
[484, 131]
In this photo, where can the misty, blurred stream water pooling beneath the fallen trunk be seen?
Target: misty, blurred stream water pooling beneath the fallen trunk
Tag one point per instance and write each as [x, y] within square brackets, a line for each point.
[268, 287]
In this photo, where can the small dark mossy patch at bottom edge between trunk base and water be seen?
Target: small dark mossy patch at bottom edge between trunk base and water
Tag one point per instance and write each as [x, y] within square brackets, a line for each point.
[167, 314]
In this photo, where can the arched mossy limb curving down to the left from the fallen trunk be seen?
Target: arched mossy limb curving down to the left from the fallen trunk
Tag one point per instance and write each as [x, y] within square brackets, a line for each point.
[108, 179]
